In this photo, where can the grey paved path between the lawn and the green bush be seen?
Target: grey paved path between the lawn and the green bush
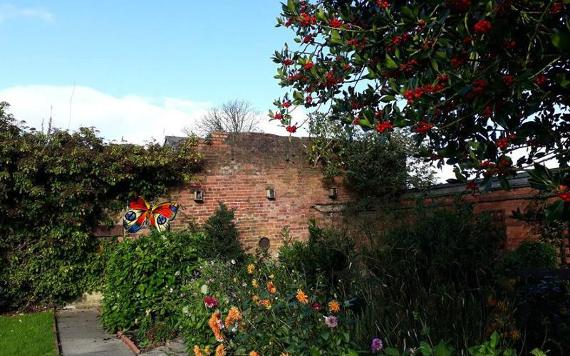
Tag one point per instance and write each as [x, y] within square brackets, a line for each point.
[81, 333]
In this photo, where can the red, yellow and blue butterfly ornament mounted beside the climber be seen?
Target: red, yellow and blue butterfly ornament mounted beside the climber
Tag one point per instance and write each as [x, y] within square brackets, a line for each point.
[142, 214]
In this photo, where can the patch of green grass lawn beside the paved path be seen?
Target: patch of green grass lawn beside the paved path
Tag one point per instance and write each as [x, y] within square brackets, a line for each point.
[28, 334]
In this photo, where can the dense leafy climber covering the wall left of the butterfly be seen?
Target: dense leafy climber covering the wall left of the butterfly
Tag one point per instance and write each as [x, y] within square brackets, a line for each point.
[54, 189]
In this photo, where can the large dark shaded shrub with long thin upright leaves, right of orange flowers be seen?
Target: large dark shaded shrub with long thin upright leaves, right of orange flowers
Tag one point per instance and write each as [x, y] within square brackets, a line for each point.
[429, 278]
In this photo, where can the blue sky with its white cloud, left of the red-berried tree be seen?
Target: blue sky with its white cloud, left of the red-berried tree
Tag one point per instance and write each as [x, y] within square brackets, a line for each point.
[119, 65]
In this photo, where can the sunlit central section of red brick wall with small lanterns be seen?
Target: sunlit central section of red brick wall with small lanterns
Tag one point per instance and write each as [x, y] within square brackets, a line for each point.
[237, 171]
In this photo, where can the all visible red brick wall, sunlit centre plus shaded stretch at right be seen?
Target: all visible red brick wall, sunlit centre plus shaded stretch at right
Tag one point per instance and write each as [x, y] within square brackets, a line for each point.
[239, 168]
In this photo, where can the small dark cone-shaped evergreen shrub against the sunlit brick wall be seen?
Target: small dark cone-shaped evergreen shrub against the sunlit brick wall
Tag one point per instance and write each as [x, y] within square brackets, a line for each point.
[222, 235]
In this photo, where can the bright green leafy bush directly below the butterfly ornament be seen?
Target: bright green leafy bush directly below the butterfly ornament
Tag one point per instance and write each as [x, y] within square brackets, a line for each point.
[143, 280]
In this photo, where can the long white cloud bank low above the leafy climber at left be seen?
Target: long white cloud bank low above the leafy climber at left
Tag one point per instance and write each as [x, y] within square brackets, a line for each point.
[132, 118]
